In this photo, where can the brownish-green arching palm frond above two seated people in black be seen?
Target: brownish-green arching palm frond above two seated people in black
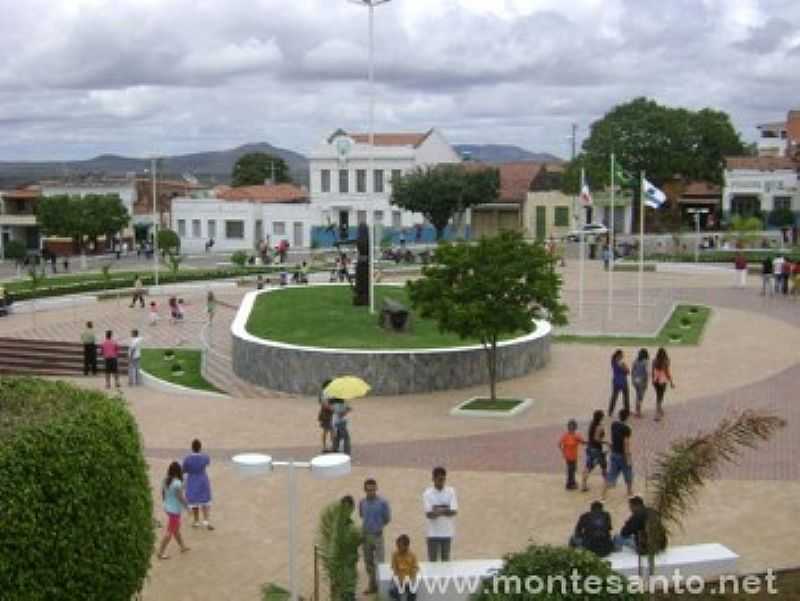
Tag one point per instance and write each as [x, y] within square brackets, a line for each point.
[679, 474]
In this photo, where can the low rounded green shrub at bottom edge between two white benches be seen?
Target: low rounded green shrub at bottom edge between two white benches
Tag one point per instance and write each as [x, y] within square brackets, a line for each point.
[537, 563]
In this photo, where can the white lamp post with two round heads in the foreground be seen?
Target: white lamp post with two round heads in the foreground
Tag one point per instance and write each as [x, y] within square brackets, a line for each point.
[331, 465]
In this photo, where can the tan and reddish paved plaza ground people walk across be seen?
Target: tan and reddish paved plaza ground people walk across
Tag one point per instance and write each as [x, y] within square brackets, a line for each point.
[508, 473]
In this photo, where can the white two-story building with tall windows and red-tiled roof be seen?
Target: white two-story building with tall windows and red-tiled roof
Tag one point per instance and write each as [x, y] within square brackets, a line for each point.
[351, 181]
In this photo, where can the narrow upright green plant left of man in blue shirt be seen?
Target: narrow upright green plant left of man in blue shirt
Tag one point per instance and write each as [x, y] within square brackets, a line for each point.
[338, 540]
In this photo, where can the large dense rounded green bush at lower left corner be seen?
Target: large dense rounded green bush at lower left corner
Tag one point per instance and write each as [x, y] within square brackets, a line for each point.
[77, 511]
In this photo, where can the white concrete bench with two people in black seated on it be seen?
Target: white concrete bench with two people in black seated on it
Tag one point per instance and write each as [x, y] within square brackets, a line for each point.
[691, 560]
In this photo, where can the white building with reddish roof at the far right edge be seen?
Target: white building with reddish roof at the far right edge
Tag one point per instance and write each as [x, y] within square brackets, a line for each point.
[754, 184]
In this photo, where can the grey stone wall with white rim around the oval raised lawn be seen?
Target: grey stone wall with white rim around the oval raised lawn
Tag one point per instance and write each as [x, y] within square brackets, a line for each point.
[300, 369]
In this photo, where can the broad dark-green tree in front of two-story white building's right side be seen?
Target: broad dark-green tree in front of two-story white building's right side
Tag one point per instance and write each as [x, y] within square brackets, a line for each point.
[443, 191]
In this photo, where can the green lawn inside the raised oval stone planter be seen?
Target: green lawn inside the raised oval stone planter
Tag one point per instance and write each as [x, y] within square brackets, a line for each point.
[325, 316]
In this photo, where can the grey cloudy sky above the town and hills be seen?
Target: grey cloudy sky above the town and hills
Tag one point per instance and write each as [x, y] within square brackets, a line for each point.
[84, 77]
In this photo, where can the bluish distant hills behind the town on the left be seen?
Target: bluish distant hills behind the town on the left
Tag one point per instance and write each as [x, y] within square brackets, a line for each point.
[214, 166]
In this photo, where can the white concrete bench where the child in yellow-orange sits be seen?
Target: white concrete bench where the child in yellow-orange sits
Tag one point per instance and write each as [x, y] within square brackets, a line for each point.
[445, 581]
